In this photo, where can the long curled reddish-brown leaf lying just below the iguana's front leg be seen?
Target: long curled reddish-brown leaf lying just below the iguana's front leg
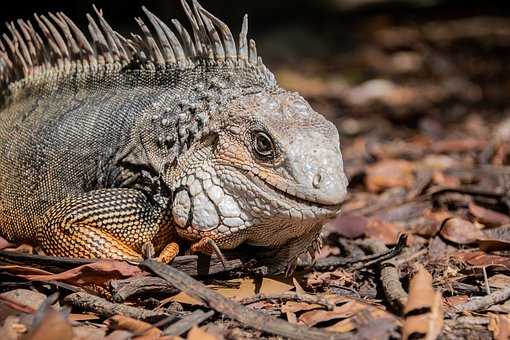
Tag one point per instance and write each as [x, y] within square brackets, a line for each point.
[98, 273]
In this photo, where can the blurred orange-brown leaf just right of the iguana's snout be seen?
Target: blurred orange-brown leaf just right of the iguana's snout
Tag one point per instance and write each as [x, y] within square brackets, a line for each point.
[389, 173]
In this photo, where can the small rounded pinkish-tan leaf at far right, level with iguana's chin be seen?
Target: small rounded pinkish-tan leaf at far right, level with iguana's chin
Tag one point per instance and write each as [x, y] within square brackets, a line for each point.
[460, 231]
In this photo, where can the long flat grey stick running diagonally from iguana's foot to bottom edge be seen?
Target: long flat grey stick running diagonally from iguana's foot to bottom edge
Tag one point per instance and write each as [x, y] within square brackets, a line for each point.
[235, 310]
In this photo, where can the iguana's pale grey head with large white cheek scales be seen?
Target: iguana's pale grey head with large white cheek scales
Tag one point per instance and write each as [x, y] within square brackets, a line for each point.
[269, 171]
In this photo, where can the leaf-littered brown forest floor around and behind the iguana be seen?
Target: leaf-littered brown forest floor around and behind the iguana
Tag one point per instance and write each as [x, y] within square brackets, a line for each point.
[421, 249]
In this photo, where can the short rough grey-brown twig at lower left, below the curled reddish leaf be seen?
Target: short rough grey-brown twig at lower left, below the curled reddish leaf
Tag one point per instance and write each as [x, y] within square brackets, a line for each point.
[104, 308]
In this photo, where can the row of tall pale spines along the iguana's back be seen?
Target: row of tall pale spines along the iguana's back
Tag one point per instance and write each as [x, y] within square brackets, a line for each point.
[59, 45]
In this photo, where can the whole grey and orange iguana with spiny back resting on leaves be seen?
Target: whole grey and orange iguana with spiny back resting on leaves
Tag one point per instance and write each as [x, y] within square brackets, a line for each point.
[109, 144]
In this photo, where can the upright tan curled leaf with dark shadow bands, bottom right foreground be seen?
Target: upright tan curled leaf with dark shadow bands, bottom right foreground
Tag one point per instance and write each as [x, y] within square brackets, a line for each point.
[423, 311]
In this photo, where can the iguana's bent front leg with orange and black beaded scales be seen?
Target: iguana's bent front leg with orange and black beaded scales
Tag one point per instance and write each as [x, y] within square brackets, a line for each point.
[106, 223]
